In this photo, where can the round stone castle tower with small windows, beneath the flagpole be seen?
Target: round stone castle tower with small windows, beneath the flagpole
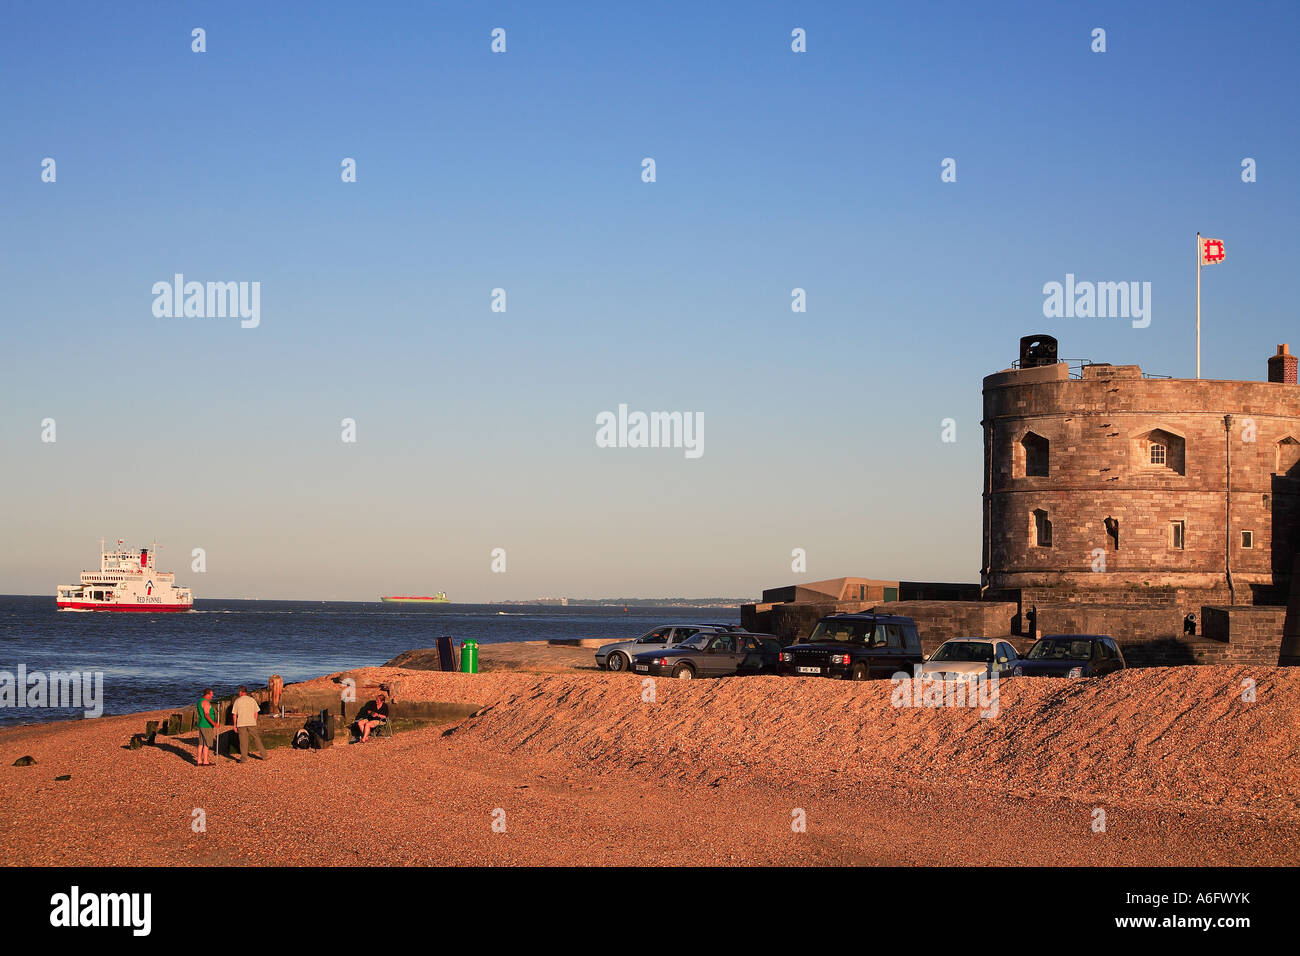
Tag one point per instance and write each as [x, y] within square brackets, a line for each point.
[1107, 486]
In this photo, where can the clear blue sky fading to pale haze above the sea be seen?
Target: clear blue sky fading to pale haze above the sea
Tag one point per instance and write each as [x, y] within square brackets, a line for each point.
[523, 171]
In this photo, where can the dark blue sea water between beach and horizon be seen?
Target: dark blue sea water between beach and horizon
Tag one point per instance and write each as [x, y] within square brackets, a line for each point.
[154, 661]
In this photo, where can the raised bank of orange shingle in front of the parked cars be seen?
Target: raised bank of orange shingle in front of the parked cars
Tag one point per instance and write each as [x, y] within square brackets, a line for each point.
[1175, 737]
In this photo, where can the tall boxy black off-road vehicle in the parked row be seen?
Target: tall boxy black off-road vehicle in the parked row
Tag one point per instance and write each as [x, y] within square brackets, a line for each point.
[860, 647]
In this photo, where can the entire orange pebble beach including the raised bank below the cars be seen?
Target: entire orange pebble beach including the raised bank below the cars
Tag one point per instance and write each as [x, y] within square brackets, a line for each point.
[562, 764]
